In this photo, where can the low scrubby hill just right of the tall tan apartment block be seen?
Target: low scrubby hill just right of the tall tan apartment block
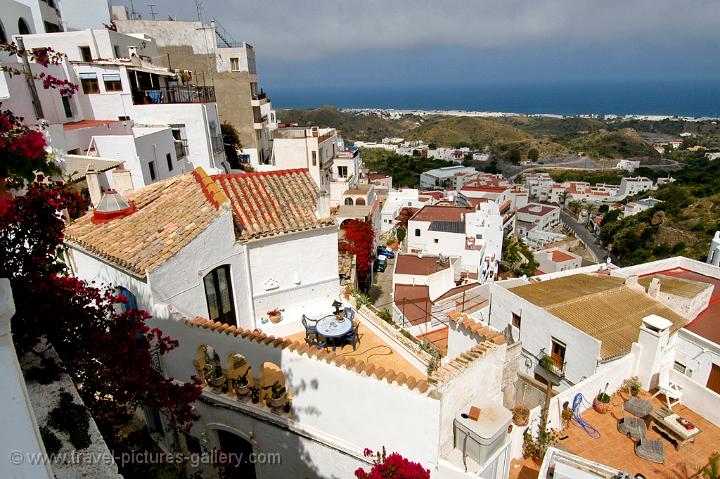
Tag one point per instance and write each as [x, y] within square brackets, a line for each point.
[353, 126]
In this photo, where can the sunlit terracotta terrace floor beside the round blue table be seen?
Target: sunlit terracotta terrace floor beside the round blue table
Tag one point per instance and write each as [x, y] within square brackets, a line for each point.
[372, 350]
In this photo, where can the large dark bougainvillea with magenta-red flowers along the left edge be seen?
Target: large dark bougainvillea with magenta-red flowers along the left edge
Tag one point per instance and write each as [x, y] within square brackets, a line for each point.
[107, 353]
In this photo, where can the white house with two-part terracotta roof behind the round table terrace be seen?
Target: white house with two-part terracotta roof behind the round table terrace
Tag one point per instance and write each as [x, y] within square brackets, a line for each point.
[228, 247]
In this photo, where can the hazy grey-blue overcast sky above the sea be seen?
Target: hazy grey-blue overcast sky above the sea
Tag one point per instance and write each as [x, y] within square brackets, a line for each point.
[339, 43]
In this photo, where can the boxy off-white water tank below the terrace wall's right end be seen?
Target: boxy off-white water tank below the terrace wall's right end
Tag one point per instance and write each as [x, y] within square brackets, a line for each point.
[480, 439]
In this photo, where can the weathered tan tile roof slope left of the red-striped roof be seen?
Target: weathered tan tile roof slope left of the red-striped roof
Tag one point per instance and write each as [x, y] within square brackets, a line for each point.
[169, 215]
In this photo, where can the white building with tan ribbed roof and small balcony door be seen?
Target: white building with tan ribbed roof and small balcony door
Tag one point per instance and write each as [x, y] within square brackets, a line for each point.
[580, 322]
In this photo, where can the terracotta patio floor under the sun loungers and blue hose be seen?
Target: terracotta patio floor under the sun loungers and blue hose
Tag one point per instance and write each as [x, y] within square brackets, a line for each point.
[615, 450]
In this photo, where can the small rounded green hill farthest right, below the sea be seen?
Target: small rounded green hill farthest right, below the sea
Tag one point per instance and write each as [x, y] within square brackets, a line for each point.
[624, 143]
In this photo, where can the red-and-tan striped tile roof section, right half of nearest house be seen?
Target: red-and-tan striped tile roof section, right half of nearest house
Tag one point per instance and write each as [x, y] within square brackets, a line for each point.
[272, 203]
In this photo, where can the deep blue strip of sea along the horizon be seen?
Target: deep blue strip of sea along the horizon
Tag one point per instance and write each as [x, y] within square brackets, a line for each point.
[682, 98]
